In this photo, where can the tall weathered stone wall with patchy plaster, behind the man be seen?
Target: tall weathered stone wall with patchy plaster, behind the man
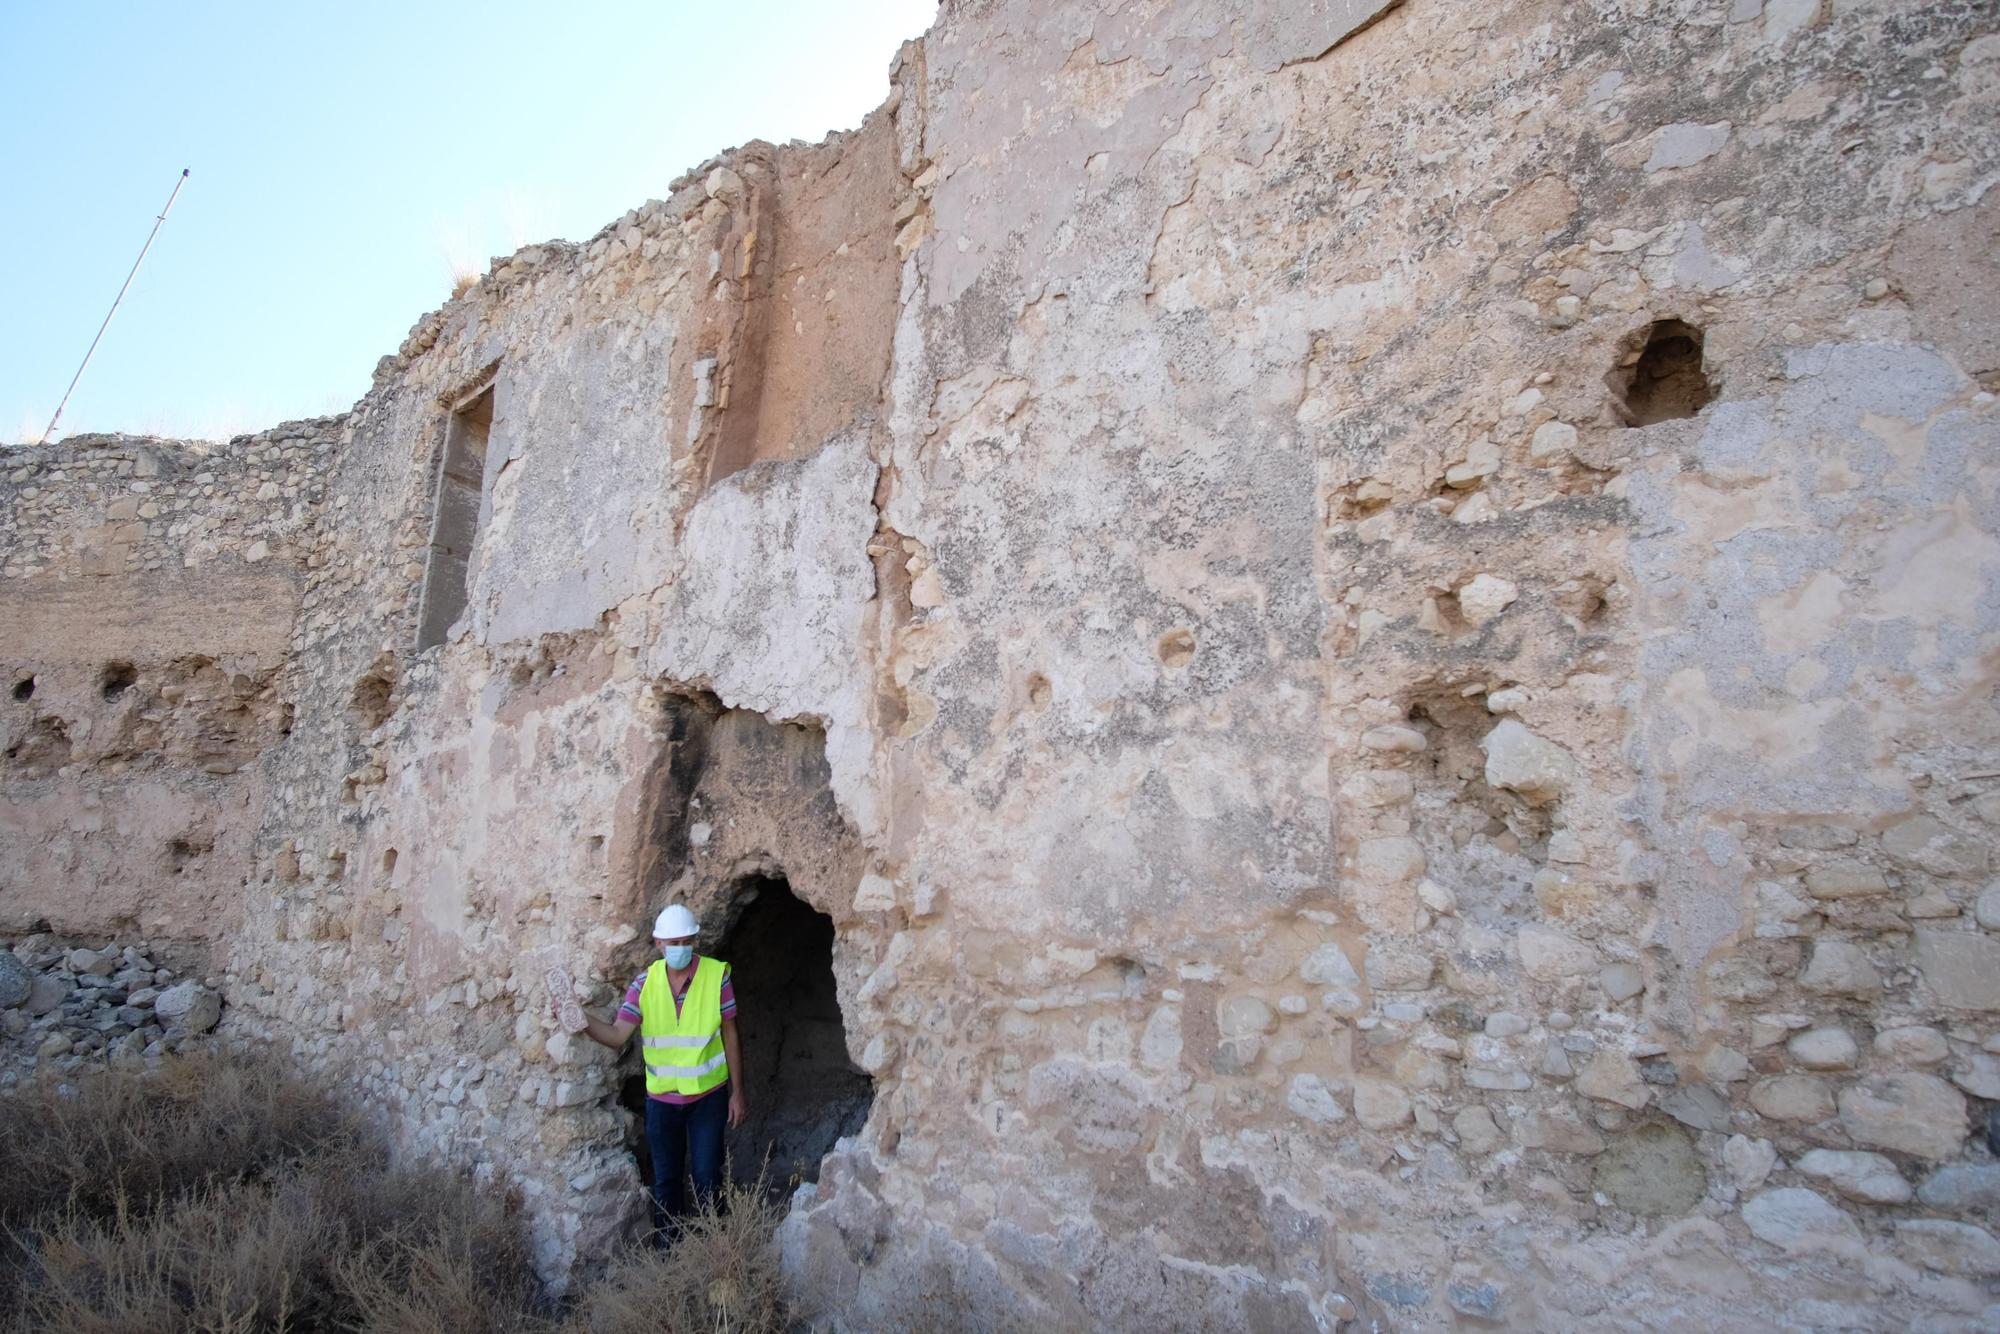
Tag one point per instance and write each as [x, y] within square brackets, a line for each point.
[1373, 625]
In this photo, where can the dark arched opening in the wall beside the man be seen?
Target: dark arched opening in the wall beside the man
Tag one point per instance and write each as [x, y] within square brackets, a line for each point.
[805, 1091]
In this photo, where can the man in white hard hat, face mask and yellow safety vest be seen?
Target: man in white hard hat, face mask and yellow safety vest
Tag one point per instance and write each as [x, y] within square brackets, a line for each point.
[685, 1011]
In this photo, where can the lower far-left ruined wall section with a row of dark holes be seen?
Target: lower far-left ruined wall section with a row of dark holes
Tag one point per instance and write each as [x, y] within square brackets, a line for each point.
[151, 591]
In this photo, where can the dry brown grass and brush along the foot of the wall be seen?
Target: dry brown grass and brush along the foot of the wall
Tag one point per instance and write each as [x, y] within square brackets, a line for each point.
[221, 1197]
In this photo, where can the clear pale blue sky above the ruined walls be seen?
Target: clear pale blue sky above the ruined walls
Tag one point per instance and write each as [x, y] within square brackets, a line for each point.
[347, 157]
